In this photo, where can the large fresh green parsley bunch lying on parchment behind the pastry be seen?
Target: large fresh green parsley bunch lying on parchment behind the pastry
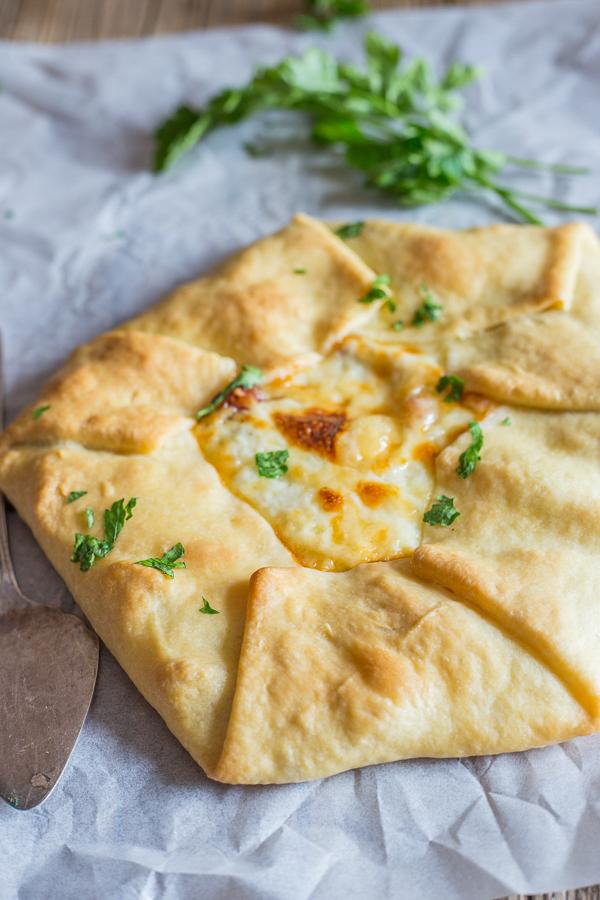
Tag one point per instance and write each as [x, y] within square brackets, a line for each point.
[395, 121]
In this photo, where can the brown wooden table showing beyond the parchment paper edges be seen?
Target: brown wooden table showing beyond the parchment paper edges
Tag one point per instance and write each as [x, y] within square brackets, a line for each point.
[75, 20]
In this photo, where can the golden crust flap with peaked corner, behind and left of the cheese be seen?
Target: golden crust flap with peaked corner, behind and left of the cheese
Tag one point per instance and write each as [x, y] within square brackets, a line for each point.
[258, 308]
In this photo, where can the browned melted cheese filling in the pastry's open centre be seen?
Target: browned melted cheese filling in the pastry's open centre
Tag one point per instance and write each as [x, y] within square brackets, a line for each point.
[362, 428]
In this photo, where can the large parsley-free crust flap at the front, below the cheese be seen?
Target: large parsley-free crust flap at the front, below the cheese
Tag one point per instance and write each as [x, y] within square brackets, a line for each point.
[372, 665]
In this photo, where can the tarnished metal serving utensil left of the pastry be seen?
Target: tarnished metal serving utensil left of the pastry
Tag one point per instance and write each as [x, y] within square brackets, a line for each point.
[48, 667]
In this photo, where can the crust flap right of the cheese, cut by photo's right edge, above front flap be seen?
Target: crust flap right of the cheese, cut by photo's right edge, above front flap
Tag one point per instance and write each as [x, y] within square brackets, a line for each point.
[524, 548]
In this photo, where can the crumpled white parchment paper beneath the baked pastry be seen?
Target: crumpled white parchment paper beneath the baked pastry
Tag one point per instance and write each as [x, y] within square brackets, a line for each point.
[88, 238]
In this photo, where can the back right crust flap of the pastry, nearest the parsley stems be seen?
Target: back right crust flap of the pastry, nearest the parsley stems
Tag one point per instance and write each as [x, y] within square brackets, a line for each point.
[482, 277]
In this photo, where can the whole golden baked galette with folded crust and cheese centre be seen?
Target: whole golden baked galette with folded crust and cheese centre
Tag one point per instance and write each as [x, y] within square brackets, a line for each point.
[390, 534]
